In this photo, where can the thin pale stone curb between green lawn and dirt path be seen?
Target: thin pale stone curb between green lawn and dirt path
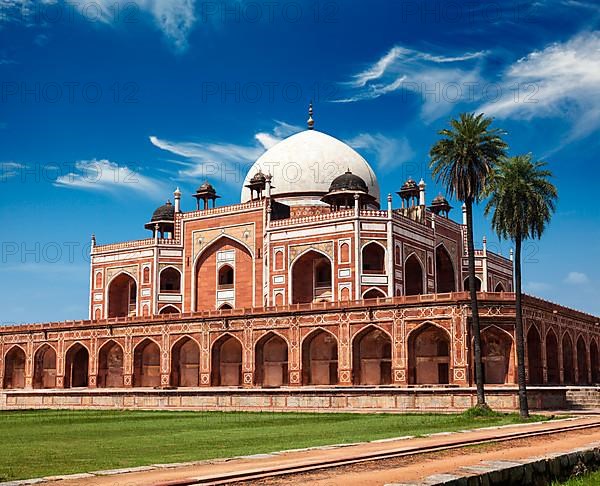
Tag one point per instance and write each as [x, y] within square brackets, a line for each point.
[110, 472]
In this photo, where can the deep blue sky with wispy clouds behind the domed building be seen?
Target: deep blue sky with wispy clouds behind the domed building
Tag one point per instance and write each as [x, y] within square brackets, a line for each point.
[106, 106]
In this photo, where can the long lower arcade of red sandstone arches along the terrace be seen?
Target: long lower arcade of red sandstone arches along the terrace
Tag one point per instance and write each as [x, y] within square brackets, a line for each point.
[308, 348]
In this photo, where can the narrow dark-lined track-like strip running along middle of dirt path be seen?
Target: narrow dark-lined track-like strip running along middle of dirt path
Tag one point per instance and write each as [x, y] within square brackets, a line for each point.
[261, 473]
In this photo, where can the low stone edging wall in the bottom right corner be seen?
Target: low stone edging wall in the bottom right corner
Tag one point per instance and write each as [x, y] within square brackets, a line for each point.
[535, 471]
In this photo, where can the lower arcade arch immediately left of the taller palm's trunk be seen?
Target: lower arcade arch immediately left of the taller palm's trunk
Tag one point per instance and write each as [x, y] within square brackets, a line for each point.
[428, 356]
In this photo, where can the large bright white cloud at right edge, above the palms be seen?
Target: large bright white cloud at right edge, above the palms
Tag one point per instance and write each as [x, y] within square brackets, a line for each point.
[561, 80]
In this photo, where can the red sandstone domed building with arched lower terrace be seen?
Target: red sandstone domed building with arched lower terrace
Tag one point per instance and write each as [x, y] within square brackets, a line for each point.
[285, 290]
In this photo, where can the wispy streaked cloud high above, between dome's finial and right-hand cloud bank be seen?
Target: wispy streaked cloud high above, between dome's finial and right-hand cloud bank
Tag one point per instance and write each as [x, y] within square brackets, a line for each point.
[441, 80]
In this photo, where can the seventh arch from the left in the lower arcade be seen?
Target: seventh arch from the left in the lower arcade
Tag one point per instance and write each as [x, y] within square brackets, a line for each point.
[226, 360]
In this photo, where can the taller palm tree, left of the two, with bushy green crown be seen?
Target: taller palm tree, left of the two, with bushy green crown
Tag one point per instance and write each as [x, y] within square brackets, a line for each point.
[463, 161]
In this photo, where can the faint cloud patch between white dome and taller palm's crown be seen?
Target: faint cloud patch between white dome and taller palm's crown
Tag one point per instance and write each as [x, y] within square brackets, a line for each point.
[388, 152]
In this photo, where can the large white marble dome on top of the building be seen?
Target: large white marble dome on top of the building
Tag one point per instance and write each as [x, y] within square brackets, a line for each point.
[303, 166]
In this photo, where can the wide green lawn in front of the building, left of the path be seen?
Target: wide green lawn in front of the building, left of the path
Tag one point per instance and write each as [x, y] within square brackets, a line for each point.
[46, 442]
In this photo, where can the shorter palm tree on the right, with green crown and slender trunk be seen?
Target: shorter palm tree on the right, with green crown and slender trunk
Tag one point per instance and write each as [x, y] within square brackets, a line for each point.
[523, 200]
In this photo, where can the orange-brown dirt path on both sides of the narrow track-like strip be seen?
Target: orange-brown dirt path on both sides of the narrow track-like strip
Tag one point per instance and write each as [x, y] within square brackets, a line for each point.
[375, 473]
